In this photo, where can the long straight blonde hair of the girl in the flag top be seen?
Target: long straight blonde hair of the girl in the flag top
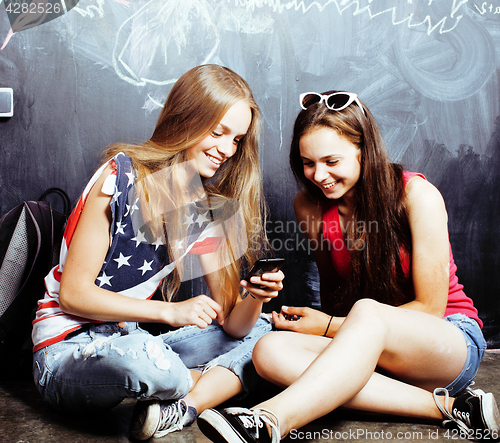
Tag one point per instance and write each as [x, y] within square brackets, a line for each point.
[194, 107]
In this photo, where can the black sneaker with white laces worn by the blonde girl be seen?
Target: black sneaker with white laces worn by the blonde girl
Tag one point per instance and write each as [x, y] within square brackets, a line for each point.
[158, 418]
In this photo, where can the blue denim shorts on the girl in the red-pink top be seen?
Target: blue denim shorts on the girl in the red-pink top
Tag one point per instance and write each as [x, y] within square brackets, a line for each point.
[476, 346]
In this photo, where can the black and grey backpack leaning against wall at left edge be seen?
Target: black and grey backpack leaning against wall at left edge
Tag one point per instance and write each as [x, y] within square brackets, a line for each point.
[30, 240]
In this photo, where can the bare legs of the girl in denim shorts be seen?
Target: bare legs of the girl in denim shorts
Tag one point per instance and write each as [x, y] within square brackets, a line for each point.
[423, 351]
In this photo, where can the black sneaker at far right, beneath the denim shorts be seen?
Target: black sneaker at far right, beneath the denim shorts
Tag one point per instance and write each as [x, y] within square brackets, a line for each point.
[473, 412]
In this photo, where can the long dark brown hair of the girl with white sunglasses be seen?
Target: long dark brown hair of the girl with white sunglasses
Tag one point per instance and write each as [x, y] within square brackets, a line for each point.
[376, 268]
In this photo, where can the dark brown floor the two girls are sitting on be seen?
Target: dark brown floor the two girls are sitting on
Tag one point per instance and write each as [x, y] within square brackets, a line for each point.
[25, 419]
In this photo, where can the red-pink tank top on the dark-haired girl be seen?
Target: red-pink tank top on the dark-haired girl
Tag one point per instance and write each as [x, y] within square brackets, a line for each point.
[458, 302]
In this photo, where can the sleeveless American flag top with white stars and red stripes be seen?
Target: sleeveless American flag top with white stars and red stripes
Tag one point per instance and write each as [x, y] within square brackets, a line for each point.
[135, 263]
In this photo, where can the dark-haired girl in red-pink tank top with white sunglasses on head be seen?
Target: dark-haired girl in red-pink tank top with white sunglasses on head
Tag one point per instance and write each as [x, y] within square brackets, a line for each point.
[396, 333]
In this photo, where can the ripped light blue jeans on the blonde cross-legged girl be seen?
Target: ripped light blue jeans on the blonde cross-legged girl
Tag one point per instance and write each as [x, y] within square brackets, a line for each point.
[98, 366]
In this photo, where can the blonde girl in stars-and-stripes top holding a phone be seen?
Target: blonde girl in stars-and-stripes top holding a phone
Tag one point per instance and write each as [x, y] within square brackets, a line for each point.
[193, 191]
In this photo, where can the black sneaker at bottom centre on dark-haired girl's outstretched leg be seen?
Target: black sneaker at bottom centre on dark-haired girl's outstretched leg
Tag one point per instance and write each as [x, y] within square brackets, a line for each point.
[239, 425]
